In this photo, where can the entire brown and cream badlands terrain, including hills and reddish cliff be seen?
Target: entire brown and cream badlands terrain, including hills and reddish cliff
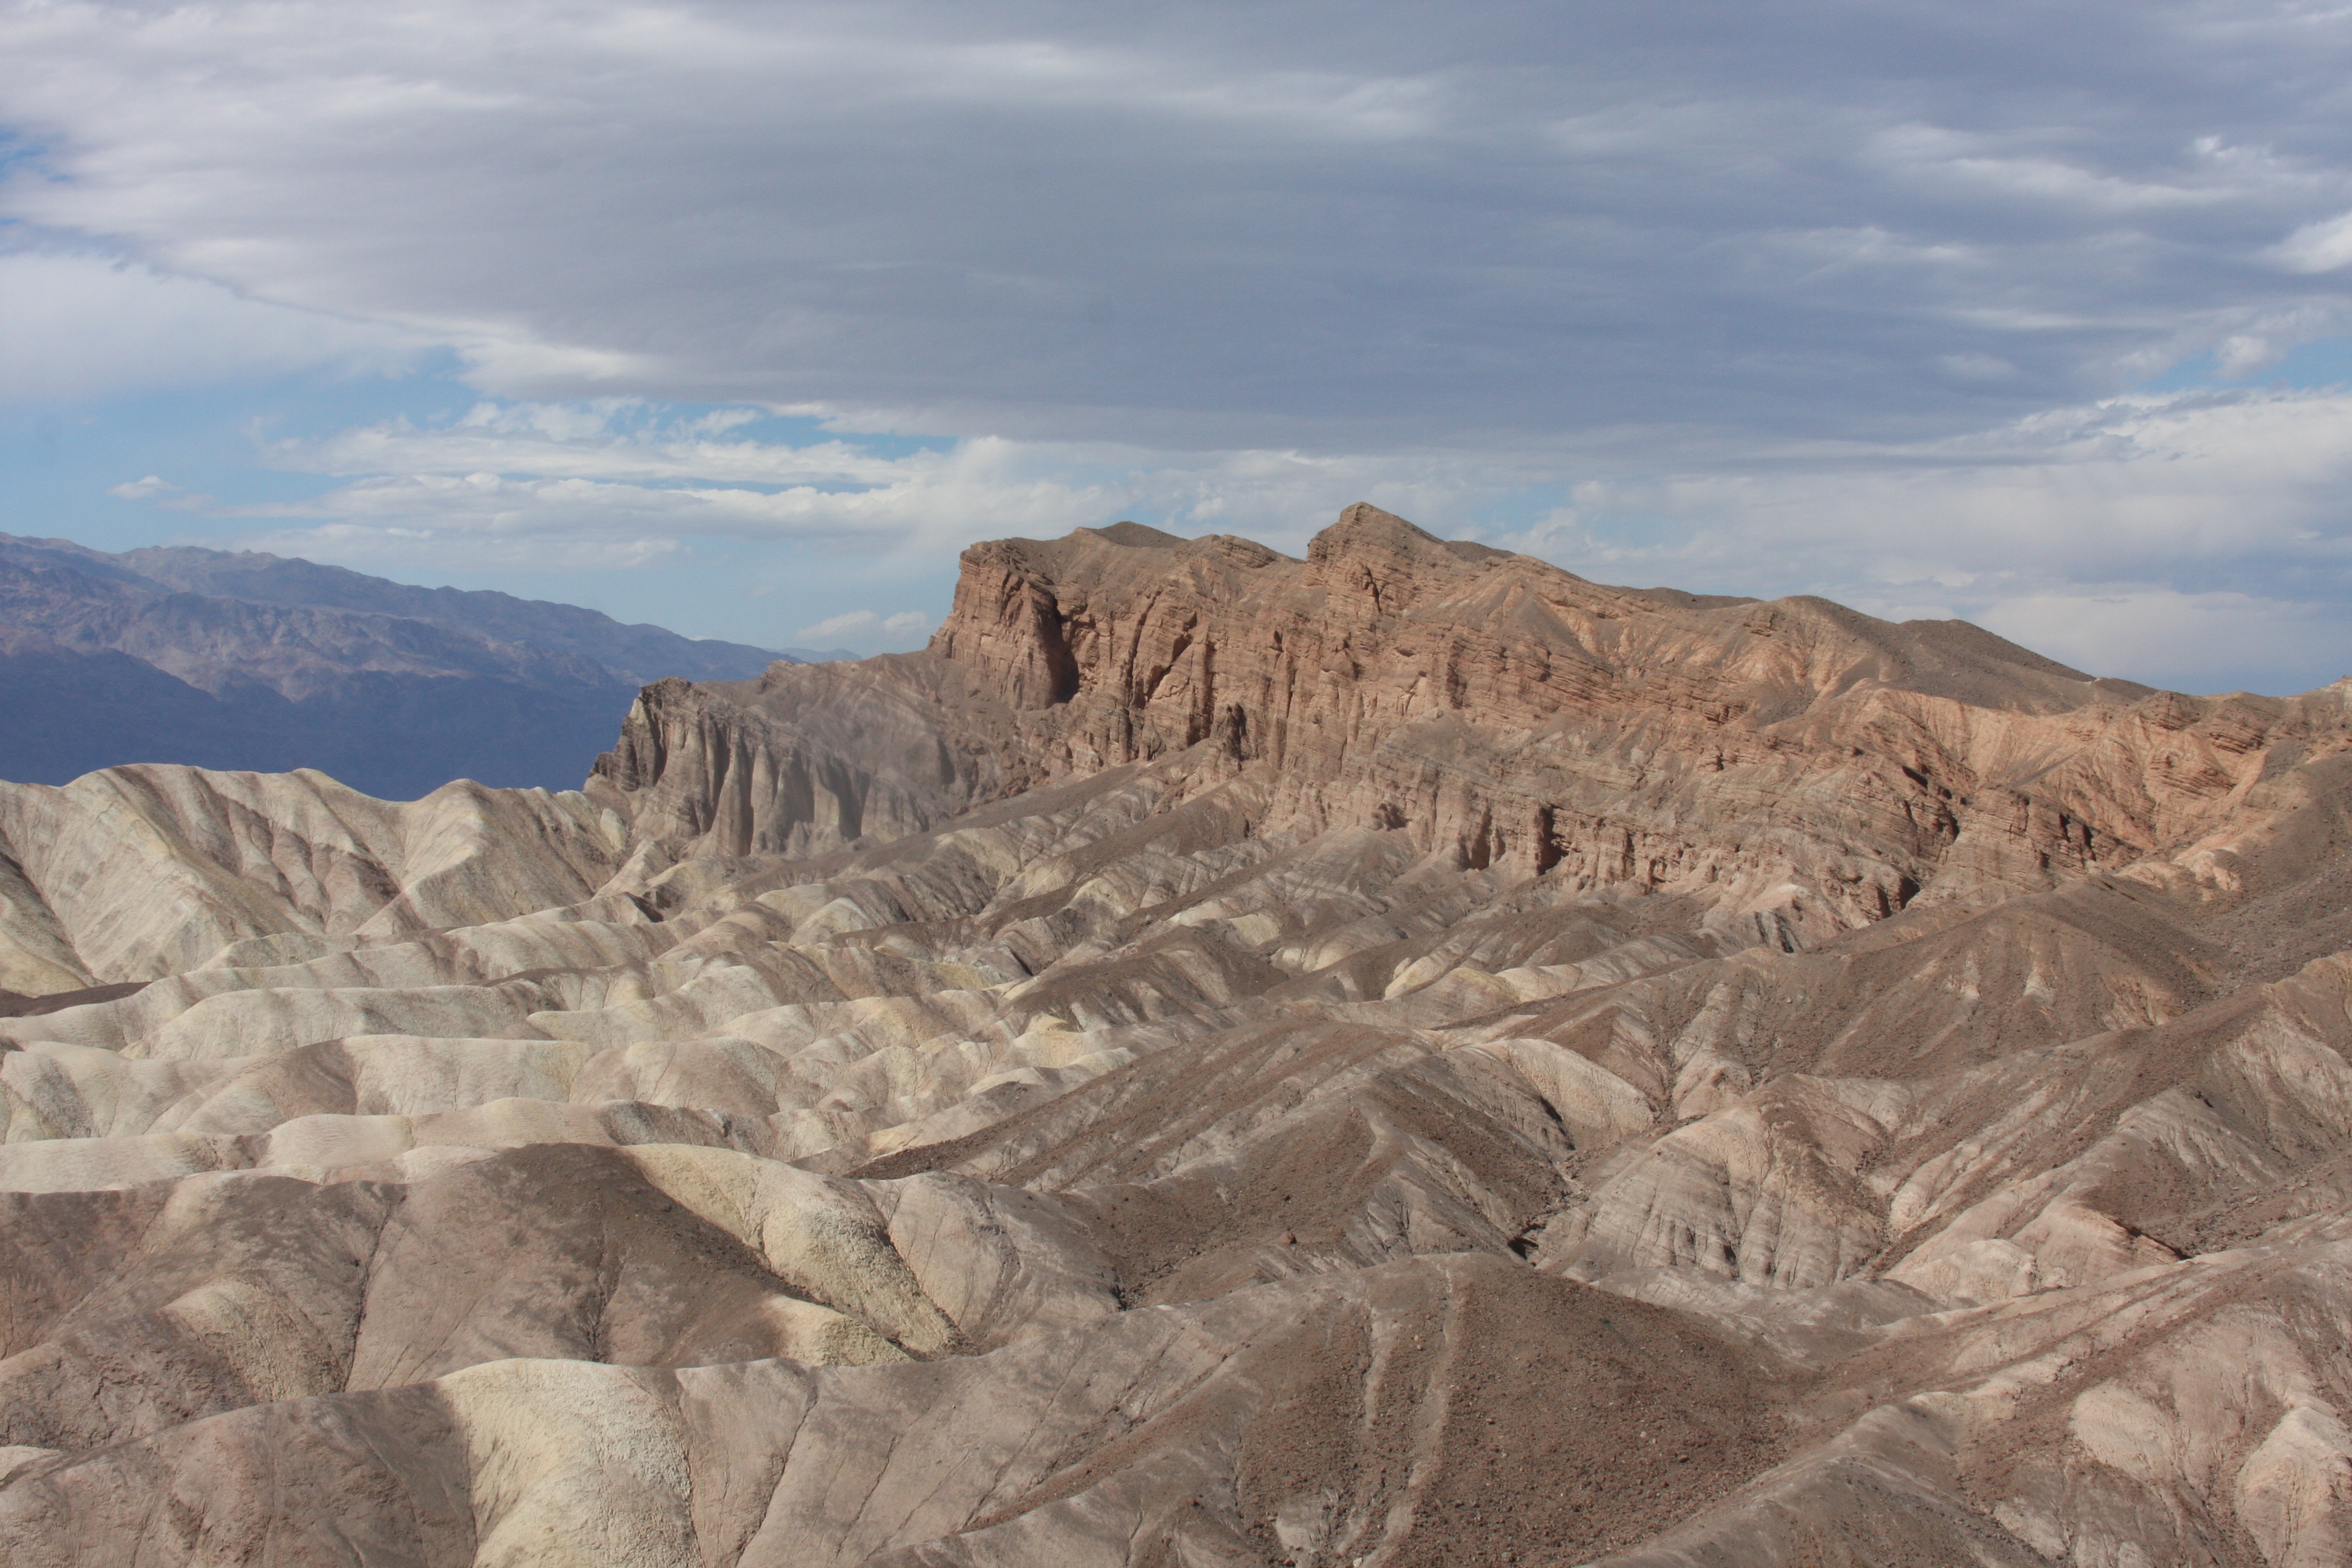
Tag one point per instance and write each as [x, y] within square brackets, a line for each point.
[1403, 1057]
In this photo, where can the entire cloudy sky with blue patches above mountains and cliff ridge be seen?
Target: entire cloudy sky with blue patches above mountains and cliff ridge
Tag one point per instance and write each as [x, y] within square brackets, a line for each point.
[747, 319]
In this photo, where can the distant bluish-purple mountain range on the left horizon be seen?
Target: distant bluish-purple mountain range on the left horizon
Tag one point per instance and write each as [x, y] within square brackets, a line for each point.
[269, 664]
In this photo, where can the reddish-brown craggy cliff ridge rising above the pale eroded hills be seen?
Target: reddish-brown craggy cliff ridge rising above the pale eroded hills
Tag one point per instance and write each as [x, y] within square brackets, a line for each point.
[1784, 760]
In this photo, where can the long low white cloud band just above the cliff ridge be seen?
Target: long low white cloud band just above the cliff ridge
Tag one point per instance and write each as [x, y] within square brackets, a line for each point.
[2146, 502]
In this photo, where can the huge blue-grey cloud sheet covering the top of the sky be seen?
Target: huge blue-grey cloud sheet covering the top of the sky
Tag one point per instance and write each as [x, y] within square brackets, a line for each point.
[1229, 227]
